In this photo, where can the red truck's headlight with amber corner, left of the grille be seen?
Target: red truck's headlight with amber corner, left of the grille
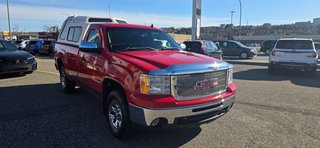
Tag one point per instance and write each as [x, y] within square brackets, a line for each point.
[154, 84]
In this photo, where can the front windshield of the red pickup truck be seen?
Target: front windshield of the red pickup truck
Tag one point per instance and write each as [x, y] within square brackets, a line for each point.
[131, 39]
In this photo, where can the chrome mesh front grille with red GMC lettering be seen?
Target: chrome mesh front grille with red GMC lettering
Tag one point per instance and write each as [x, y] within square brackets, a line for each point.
[193, 86]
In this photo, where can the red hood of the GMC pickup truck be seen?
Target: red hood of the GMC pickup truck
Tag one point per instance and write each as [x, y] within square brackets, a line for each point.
[154, 60]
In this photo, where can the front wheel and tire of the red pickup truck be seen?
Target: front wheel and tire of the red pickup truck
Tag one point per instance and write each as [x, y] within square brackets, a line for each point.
[118, 115]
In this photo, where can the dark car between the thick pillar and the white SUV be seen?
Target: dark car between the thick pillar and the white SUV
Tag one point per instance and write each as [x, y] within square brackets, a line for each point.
[235, 48]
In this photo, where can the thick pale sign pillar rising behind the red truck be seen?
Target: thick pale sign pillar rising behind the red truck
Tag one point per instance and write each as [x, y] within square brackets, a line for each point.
[196, 19]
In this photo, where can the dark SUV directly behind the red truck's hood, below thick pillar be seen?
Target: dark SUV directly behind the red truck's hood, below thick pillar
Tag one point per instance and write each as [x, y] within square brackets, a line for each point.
[204, 47]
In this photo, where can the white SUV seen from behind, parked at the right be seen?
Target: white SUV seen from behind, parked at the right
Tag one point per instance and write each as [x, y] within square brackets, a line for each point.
[294, 53]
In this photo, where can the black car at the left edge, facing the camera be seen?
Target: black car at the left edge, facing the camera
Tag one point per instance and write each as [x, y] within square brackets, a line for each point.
[13, 60]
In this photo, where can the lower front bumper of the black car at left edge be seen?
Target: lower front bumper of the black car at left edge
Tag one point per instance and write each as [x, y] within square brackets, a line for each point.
[16, 68]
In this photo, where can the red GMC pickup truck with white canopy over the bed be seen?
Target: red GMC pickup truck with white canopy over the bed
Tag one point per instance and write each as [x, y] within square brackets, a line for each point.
[142, 75]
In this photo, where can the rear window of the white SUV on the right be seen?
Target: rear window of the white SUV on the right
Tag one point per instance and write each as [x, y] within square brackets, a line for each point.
[294, 44]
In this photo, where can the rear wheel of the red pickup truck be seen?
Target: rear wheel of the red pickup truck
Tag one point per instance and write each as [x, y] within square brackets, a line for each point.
[66, 85]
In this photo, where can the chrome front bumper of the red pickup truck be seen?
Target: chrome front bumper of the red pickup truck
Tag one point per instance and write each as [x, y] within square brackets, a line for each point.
[181, 116]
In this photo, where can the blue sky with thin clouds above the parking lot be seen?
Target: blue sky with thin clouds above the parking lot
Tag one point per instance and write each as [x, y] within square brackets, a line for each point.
[31, 15]
